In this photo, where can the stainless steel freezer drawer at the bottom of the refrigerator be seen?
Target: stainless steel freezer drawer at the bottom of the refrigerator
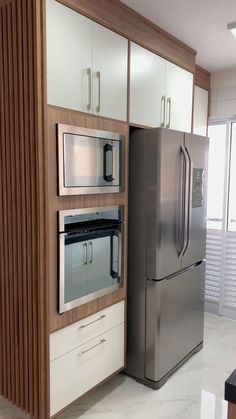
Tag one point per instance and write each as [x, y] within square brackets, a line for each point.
[174, 320]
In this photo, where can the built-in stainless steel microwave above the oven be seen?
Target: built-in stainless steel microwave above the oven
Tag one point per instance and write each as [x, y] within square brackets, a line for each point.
[89, 161]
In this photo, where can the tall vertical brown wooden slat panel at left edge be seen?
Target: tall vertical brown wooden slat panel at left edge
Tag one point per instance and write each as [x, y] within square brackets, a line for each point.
[24, 361]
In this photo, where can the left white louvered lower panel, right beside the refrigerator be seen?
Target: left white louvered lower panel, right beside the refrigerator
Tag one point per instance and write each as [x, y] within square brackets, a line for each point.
[213, 266]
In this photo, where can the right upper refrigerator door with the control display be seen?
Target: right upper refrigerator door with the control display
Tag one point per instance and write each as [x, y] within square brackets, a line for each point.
[197, 149]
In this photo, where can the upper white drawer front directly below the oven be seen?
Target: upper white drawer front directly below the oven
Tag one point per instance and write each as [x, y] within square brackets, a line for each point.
[77, 334]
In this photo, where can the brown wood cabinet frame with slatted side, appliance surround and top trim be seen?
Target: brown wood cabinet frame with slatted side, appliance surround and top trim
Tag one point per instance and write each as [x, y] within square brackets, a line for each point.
[28, 188]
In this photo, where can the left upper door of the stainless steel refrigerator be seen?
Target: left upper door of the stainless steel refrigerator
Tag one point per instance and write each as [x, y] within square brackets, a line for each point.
[163, 209]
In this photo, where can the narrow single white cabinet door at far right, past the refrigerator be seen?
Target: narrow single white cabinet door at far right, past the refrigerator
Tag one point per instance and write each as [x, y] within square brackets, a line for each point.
[200, 113]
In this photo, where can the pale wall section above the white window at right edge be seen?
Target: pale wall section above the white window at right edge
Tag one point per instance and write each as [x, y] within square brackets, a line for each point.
[223, 94]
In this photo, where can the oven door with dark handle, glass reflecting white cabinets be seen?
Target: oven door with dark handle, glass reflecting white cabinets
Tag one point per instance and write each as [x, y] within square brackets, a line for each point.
[90, 266]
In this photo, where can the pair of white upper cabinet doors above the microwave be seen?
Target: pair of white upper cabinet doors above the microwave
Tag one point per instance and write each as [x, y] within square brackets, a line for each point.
[87, 64]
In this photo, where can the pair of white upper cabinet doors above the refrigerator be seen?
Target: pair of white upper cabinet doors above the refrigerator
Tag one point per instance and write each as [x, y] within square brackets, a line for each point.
[161, 93]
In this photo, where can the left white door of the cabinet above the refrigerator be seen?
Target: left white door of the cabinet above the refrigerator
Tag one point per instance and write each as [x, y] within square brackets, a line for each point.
[147, 87]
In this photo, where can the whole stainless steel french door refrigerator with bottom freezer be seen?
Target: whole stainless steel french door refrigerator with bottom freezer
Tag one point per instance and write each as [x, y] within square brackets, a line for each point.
[167, 234]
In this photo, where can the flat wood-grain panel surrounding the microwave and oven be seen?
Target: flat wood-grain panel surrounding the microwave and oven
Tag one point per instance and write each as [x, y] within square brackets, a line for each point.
[58, 115]
